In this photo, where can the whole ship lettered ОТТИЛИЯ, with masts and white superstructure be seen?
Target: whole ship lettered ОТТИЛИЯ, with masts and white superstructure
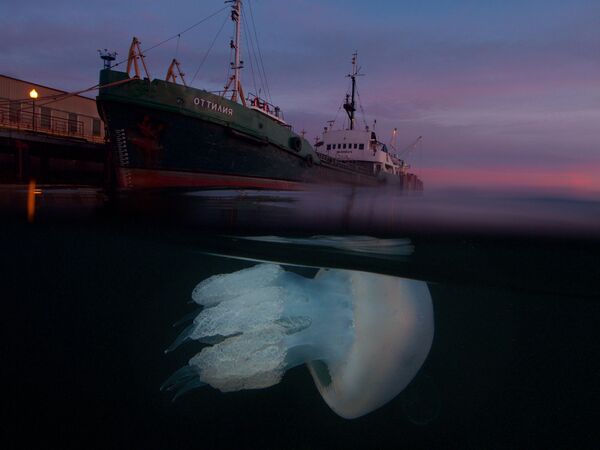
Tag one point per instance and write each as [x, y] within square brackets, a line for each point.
[165, 134]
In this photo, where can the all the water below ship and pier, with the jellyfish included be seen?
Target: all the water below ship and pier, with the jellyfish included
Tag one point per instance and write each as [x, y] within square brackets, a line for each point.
[501, 290]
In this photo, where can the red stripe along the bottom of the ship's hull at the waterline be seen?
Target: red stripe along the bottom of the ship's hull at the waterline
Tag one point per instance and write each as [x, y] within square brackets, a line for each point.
[147, 178]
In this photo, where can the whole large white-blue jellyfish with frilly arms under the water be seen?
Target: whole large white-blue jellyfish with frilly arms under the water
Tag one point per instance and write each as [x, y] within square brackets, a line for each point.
[363, 336]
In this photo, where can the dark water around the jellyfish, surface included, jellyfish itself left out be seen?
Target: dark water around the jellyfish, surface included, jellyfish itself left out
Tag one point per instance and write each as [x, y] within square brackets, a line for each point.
[90, 293]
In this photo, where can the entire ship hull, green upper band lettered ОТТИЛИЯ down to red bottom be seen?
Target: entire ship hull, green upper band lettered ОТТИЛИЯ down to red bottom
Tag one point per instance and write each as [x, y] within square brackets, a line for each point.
[163, 135]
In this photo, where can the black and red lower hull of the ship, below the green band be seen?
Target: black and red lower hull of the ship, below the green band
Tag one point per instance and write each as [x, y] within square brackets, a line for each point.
[155, 148]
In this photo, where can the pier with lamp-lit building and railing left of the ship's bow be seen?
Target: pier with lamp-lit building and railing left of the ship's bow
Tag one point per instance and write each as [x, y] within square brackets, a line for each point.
[50, 136]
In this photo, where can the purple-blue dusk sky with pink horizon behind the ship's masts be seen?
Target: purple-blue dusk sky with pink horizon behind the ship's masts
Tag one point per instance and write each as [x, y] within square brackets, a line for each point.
[503, 92]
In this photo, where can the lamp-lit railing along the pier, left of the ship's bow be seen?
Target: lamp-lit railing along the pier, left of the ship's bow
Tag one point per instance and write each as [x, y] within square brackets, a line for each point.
[44, 124]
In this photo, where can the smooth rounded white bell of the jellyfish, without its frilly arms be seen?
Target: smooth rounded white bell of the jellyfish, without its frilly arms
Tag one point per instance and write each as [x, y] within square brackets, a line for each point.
[393, 332]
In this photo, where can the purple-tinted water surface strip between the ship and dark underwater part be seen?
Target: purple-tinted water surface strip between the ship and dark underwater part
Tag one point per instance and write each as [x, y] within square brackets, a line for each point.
[353, 211]
